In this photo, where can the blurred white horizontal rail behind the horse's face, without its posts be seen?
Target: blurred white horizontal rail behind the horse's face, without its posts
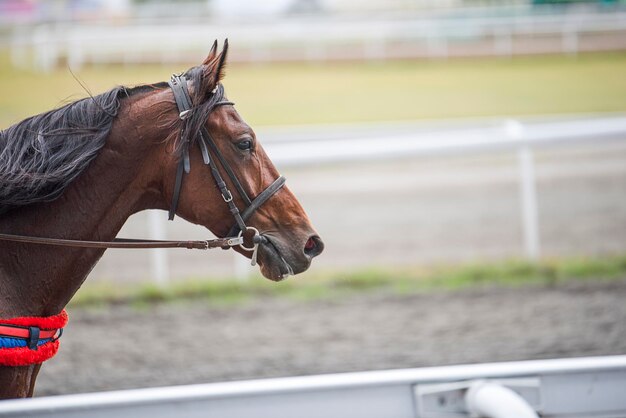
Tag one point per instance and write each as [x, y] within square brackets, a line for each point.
[297, 146]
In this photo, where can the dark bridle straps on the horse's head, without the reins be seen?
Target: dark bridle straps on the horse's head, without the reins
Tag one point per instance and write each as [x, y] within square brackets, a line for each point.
[178, 84]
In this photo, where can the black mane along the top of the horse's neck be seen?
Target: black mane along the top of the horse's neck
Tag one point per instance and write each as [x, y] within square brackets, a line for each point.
[42, 155]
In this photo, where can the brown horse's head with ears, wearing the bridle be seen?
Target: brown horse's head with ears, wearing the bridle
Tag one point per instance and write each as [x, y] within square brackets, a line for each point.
[218, 171]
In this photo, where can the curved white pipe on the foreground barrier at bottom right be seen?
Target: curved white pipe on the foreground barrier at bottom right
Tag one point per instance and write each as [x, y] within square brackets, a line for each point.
[492, 400]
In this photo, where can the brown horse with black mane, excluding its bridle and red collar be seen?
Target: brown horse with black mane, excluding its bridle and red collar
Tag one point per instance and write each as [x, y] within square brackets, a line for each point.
[107, 157]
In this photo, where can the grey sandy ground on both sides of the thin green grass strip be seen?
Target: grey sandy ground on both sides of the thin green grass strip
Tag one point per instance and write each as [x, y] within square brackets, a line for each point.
[439, 210]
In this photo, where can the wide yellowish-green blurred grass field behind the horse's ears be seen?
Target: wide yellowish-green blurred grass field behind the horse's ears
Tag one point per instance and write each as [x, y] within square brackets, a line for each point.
[356, 92]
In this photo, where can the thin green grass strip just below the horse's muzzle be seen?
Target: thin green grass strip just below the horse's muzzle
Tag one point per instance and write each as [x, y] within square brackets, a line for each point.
[331, 285]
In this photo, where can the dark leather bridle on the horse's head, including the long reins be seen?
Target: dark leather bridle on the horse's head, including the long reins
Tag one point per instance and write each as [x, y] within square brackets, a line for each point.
[246, 237]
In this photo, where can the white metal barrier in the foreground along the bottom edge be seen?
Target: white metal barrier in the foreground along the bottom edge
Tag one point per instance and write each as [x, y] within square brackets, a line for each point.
[590, 387]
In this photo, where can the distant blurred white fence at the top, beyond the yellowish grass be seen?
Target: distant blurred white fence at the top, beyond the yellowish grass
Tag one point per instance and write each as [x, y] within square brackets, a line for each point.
[318, 38]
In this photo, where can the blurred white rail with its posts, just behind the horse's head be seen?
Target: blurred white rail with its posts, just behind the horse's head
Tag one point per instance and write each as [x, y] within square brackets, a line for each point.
[317, 145]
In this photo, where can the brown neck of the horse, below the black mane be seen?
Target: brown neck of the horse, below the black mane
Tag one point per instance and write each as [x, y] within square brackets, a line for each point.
[123, 179]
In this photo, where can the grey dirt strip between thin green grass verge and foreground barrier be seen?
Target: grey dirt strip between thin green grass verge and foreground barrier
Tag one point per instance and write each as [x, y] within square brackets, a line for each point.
[193, 342]
